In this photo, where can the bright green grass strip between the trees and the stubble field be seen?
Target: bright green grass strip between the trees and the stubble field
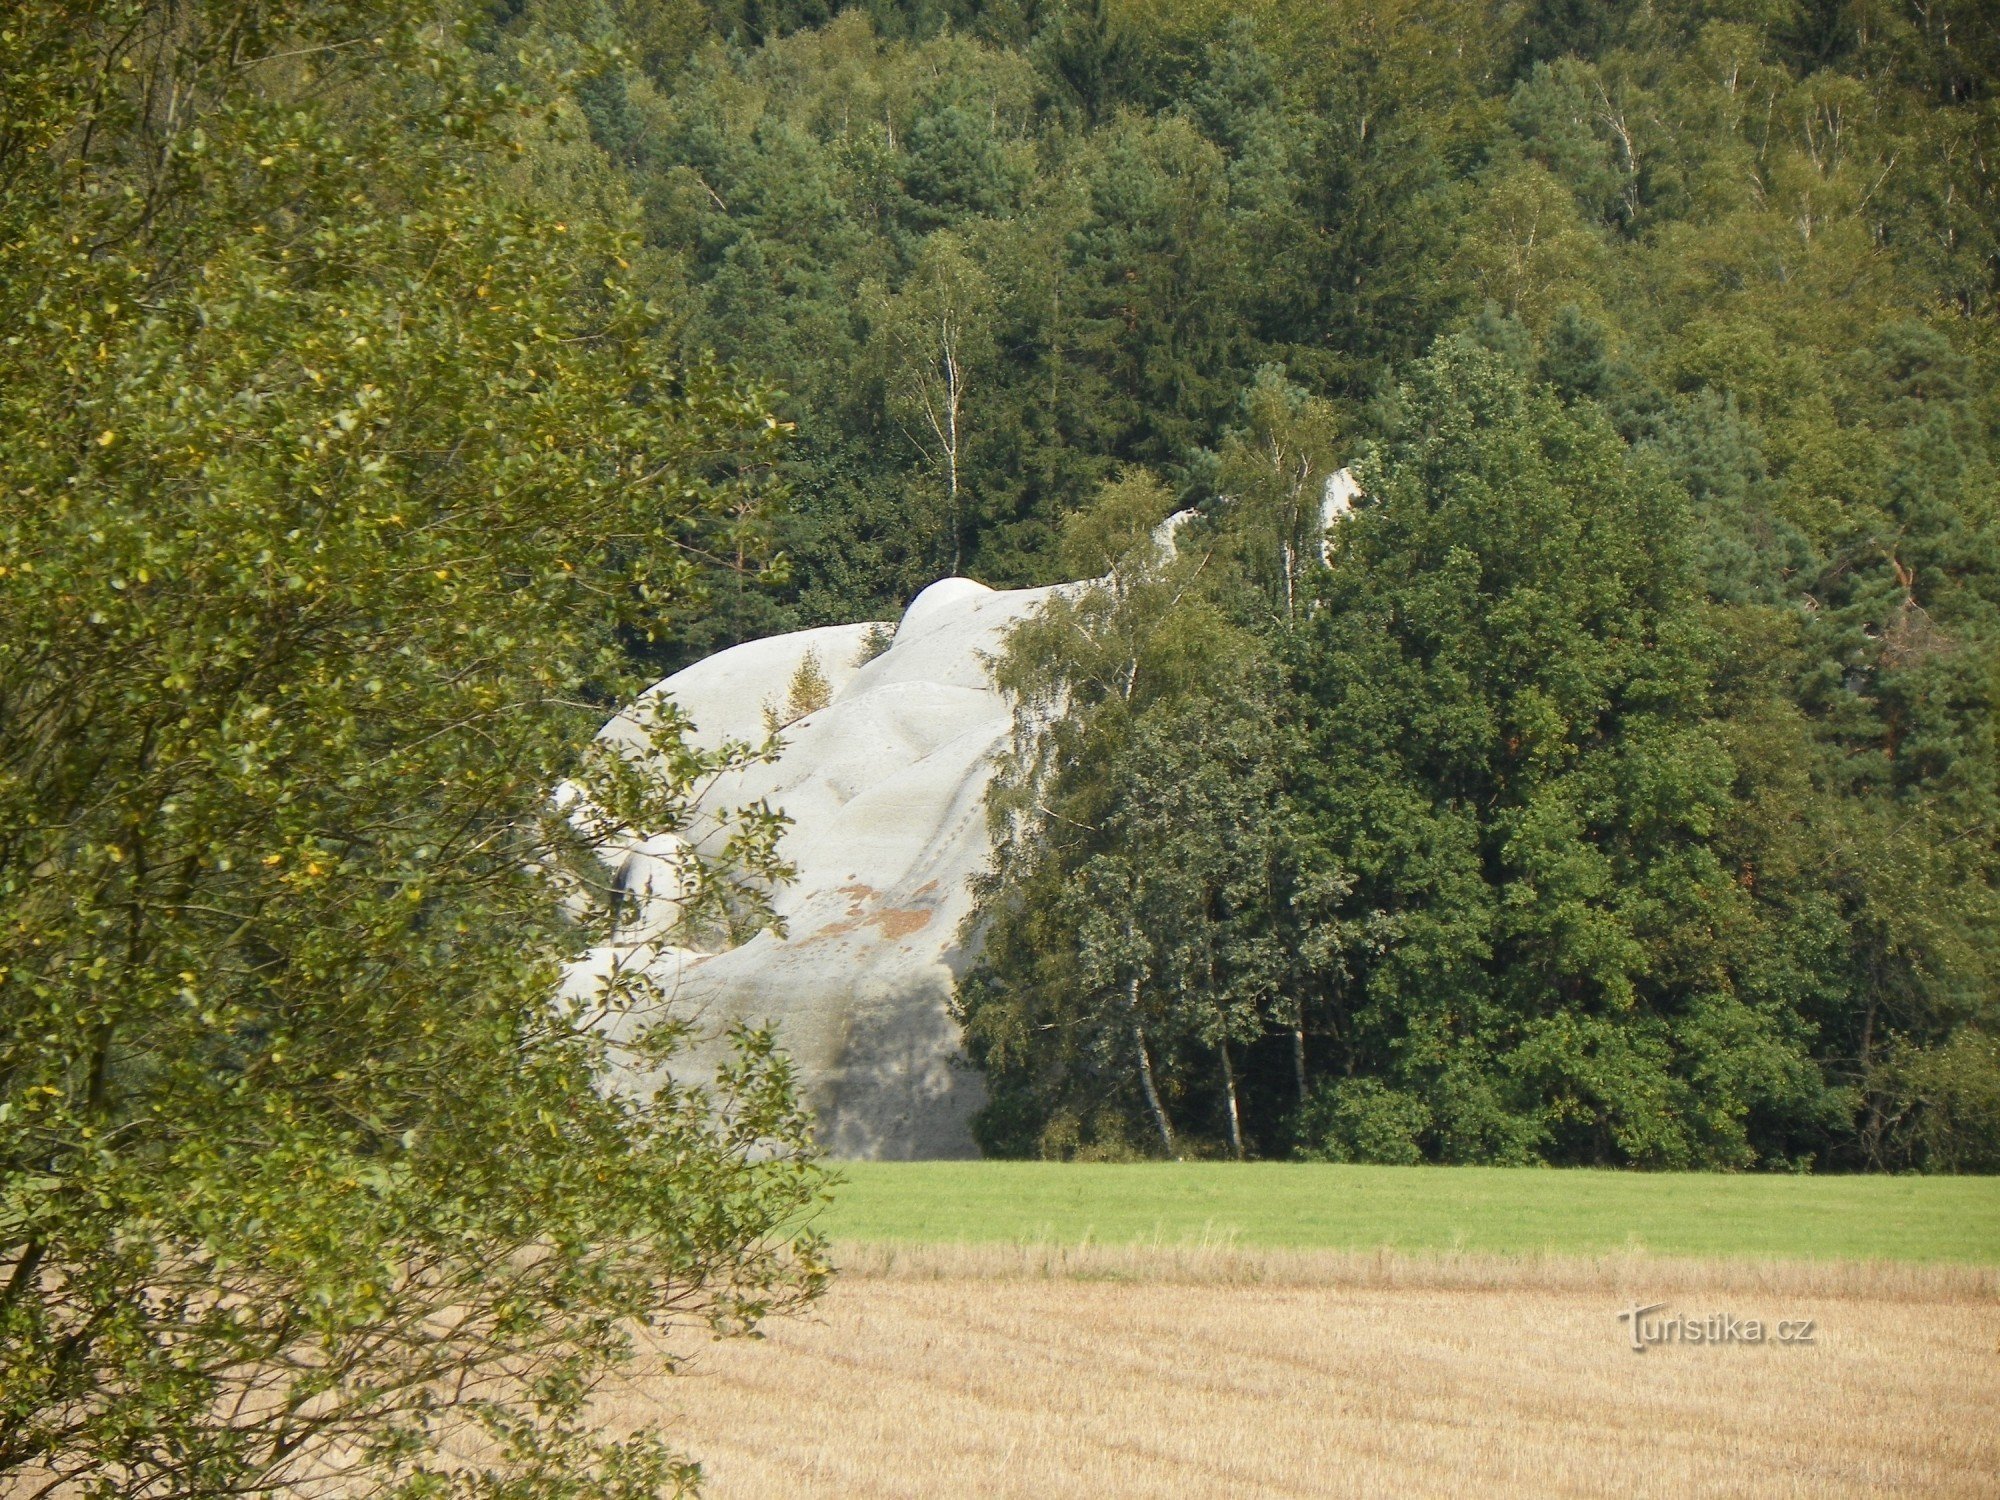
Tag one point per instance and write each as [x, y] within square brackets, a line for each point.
[1483, 1209]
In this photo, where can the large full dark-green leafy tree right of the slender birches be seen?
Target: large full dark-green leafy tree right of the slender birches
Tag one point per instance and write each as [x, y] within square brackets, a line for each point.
[1513, 755]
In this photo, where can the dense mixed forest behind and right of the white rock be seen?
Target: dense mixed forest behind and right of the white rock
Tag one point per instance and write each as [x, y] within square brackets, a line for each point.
[1619, 785]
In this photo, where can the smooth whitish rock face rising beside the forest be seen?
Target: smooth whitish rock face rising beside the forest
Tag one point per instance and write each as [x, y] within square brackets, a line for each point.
[885, 789]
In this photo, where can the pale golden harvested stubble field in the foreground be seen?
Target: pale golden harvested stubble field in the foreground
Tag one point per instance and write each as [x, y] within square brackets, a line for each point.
[1021, 1371]
